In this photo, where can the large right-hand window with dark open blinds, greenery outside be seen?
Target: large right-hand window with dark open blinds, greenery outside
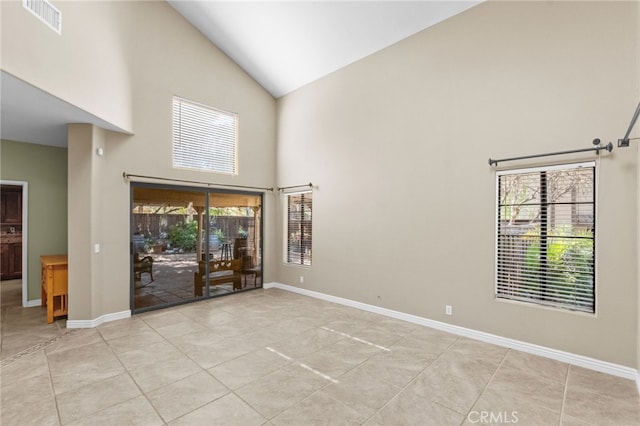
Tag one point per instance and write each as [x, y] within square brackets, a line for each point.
[546, 236]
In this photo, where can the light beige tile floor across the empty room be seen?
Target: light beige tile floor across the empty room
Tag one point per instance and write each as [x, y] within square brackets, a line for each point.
[277, 358]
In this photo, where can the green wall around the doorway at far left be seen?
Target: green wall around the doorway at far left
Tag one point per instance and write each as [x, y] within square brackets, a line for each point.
[45, 170]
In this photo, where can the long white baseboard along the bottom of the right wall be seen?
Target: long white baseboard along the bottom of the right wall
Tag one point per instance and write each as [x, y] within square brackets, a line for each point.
[569, 358]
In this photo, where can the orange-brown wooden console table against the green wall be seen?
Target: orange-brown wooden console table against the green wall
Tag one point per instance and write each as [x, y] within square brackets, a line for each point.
[54, 285]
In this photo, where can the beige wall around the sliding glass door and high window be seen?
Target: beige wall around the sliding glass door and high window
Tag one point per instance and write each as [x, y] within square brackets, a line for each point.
[172, 58]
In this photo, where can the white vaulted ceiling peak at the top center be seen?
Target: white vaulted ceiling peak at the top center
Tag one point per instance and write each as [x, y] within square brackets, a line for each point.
[287, 44]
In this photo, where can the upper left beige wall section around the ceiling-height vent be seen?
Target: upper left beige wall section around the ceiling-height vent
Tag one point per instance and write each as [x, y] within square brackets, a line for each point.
[88, 65]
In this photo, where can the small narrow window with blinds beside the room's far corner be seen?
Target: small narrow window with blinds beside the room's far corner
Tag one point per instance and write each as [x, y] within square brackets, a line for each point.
[299, 208]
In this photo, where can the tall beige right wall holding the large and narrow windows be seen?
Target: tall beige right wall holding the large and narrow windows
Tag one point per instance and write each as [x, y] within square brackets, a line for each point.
[407, 133]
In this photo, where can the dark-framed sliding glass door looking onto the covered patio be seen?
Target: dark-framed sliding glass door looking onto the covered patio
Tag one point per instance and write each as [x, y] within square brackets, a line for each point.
[190, 243]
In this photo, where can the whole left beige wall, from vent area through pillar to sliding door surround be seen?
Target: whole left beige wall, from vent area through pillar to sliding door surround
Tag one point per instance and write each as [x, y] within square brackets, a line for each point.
[123, 62]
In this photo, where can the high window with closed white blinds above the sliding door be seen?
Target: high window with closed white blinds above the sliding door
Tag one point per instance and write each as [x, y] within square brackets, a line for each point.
[204, 138]
